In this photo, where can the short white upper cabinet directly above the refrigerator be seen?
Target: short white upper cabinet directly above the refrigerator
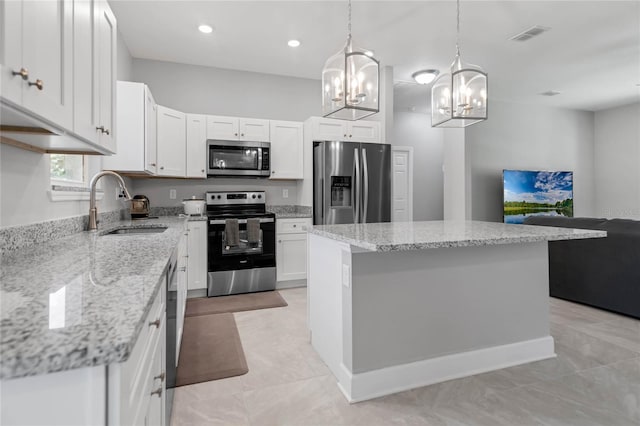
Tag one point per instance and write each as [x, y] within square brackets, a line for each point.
[330, 129]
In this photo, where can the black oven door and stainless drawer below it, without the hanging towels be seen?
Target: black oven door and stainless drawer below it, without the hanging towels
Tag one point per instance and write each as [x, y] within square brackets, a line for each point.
[245, 267]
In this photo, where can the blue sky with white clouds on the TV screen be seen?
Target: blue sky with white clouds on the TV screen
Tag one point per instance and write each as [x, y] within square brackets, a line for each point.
[537, 187]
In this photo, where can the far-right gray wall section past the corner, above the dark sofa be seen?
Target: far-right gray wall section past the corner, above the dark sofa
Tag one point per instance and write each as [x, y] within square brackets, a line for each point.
[617, 162]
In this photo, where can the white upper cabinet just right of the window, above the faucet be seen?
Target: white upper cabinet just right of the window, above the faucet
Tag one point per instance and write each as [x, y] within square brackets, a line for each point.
[136, 130]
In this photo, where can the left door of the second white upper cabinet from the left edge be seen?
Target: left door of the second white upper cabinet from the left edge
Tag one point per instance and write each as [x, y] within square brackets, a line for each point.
[85, 93]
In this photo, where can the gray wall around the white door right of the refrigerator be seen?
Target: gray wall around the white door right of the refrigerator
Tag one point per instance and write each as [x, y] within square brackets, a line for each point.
[414, 129]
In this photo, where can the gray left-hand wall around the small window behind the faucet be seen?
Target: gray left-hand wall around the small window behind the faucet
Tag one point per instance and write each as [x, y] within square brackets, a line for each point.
[25, 181]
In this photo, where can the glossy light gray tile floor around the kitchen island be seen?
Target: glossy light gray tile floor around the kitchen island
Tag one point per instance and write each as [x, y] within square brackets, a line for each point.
[595, 380]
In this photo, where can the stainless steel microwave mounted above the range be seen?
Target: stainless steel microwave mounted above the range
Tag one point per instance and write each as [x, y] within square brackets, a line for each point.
[238, 158]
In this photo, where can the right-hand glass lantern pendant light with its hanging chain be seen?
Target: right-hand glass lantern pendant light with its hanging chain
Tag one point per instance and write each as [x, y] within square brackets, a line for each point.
[459, 99]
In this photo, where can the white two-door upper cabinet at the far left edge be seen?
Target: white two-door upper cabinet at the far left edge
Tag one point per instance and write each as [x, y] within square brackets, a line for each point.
[37, 58]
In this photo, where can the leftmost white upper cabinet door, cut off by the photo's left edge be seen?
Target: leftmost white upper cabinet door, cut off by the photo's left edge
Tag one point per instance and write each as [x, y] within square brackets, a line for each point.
[11, 84]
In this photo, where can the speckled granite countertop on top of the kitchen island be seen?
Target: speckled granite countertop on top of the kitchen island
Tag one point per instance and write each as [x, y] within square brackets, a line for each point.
[399, 236]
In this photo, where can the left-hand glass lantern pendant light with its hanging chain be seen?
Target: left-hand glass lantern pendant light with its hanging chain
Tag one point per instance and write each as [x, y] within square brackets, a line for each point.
[350, 82]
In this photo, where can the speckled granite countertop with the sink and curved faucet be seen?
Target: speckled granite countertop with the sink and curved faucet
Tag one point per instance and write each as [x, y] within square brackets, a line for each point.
[80, 301]
